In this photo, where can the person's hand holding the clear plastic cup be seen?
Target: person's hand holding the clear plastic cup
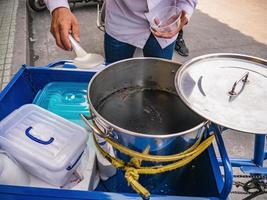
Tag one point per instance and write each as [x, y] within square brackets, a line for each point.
[170, 33]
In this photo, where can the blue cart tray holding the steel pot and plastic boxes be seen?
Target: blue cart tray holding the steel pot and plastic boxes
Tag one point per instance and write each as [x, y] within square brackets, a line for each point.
[203, 182]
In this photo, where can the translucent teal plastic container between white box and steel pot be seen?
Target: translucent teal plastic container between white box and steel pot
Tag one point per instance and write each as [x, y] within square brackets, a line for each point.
[66, 99]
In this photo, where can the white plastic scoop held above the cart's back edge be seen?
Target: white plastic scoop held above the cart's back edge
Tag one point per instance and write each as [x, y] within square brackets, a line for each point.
[84, 59]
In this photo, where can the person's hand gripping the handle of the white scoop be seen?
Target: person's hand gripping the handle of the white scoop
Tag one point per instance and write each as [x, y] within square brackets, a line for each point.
[63, 23]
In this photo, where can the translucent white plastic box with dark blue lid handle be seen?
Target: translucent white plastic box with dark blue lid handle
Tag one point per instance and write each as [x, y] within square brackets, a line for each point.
[45, 144]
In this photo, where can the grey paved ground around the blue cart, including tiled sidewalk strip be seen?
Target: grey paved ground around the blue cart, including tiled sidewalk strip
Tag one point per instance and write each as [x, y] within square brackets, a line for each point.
[216, 26]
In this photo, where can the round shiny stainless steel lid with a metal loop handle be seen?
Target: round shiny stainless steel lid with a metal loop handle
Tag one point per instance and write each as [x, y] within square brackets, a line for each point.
[227, 89]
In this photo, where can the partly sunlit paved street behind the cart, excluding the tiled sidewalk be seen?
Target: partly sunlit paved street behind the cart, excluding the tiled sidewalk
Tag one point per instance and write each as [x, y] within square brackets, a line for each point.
[239, 30]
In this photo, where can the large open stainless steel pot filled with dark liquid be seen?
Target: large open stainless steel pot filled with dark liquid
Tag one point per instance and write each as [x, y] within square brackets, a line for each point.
[135, 102]
